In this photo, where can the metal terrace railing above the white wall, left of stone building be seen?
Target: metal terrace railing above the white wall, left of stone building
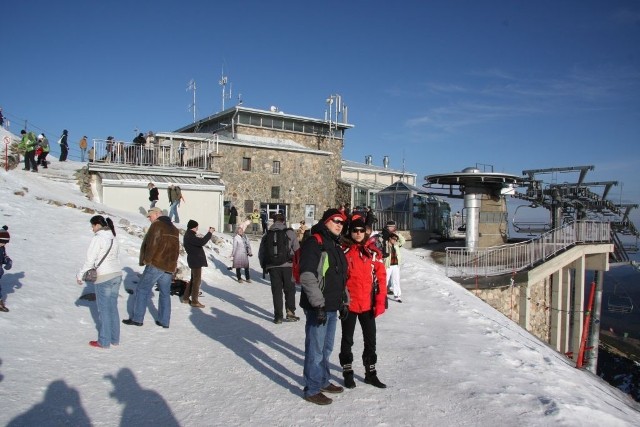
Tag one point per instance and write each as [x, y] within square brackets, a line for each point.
[164, 154]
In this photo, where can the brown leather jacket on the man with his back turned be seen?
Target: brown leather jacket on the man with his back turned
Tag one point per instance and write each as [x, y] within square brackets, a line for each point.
[161, 245]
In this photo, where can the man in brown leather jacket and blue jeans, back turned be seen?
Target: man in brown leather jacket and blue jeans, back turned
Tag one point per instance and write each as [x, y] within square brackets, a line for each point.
[159, 254]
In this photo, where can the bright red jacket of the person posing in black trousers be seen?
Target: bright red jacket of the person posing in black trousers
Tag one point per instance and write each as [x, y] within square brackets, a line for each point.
[363, 264]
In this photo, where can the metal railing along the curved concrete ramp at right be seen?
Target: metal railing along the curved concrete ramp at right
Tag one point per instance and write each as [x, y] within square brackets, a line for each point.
[505, 259]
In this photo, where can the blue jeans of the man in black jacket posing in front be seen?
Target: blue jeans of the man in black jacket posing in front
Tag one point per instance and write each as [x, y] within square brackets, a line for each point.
[318, 345]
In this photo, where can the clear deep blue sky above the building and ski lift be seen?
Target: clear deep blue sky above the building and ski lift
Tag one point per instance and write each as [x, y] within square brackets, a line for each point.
[435, 85]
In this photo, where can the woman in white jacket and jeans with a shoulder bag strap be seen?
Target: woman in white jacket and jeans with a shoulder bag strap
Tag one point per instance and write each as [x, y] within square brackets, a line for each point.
[107, 284]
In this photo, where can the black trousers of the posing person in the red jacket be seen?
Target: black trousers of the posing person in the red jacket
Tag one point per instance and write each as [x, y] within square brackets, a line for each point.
[368, 324]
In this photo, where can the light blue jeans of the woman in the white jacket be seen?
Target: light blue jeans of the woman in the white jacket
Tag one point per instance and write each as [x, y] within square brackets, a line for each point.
[108, 316]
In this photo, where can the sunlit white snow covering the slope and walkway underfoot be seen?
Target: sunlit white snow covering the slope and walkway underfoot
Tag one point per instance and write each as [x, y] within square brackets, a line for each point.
[448, 359]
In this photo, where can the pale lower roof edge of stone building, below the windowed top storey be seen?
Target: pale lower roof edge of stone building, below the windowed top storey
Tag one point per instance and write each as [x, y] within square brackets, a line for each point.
[243, 140]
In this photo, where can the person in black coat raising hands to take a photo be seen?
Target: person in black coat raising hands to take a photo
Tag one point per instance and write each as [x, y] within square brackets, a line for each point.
[196, 259]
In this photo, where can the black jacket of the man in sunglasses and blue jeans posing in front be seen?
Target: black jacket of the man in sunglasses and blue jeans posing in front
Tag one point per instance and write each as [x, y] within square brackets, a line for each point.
[335, 277]
